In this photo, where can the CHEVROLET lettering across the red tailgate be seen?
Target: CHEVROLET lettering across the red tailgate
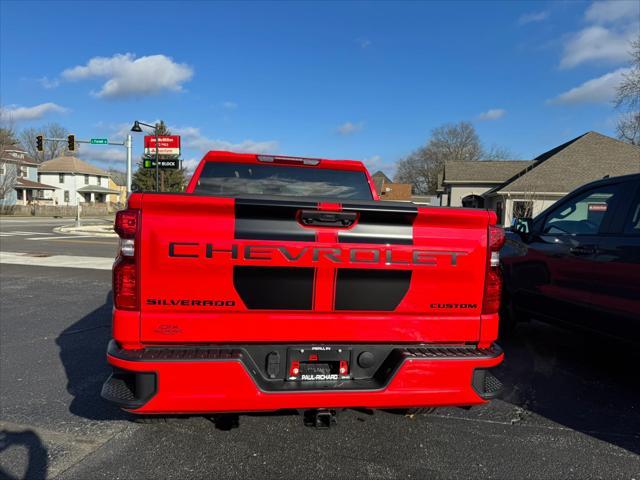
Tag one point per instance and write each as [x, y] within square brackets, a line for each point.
[357, 255]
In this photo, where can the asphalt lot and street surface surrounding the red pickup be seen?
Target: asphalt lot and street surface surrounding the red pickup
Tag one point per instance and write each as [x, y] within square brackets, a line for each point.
[570, 408]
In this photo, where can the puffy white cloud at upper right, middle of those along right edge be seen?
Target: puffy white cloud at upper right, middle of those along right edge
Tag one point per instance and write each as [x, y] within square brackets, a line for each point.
[597, 44]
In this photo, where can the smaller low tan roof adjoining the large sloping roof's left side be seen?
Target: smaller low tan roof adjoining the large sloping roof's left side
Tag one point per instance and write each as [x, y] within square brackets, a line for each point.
[482, 171]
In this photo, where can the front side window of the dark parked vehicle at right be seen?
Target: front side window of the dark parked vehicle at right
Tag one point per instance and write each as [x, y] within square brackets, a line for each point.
[582, 215]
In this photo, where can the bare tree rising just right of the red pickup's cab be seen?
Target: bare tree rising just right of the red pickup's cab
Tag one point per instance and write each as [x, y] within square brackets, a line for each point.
[450, 142]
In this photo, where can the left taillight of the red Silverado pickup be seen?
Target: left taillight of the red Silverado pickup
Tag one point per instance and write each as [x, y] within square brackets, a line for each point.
[125, 270]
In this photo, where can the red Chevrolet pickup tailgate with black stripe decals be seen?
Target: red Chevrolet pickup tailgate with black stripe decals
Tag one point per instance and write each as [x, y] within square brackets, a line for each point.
[220, 270]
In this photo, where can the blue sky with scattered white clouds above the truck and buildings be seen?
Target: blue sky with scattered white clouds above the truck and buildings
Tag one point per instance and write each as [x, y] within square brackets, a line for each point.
[346, 80]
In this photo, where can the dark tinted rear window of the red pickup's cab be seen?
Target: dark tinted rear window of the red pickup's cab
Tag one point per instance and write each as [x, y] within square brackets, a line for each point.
[237, 179]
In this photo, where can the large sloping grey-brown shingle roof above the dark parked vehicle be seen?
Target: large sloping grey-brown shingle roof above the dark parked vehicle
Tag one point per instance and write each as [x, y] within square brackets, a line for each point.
[581, 160]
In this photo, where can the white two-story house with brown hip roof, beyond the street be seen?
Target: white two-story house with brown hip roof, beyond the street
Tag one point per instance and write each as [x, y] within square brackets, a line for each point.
[76, 181]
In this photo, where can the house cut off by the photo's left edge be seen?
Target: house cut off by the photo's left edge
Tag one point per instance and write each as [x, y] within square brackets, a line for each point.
[19, 183]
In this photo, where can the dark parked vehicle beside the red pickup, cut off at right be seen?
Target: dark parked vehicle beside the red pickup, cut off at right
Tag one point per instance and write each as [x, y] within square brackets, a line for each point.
[578, 262]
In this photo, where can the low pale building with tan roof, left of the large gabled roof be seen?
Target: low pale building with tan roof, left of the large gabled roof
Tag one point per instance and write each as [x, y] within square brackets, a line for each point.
[462, 184]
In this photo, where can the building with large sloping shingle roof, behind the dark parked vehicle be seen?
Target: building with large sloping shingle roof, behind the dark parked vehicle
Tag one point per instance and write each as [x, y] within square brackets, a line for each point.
[555, 173]
